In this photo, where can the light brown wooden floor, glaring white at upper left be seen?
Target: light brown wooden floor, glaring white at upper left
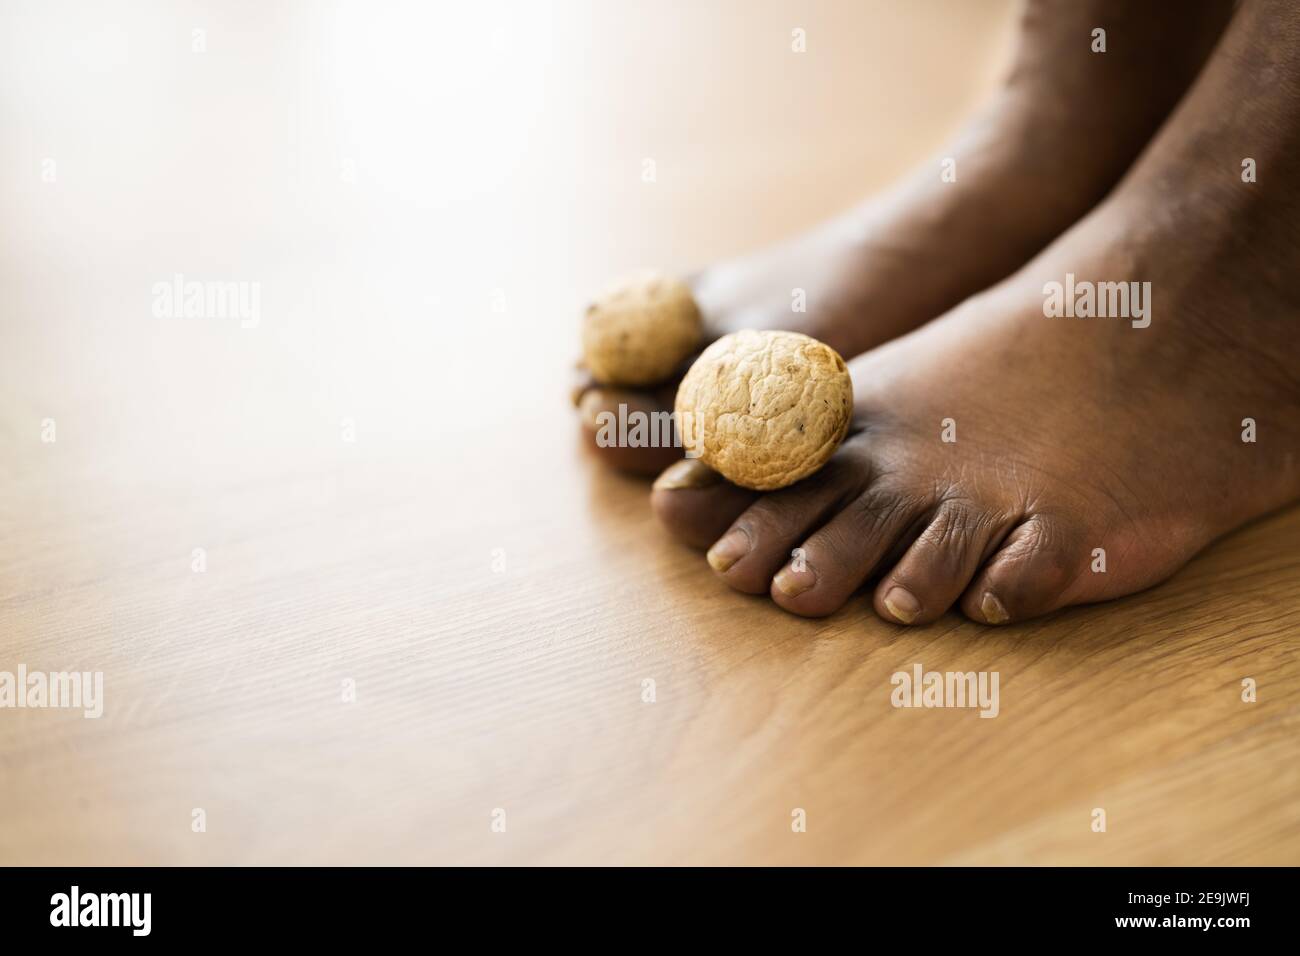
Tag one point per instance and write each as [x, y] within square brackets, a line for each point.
[426, 205]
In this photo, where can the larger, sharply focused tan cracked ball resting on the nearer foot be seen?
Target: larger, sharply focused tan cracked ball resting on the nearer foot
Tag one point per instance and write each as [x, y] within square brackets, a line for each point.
[765, 409]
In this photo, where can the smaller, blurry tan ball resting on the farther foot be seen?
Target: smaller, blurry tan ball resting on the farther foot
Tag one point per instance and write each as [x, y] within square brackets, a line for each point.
[640, 331]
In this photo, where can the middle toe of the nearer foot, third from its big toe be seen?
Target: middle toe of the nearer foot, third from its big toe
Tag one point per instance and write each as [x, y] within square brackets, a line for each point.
[842, 556]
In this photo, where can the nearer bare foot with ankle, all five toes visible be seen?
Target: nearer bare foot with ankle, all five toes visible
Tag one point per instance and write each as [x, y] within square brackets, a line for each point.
[1090, 458]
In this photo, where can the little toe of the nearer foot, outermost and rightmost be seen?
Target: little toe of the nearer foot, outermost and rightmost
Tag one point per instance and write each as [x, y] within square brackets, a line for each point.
[1034, 573]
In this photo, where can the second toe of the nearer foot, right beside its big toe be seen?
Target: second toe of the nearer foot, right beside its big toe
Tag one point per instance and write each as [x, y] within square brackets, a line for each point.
[765, 537]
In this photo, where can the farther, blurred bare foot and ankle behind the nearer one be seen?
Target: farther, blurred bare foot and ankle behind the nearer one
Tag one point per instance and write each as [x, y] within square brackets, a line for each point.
[918, 250]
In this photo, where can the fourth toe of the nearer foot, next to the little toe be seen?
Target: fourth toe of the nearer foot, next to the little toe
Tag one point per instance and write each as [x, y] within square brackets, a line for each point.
[941, 564]
